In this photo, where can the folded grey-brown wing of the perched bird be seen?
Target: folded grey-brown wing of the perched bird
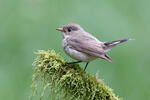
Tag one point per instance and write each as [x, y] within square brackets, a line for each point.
[89, 46]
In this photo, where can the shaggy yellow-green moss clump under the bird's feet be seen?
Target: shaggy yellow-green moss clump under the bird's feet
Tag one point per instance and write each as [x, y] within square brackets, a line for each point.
[66, 82]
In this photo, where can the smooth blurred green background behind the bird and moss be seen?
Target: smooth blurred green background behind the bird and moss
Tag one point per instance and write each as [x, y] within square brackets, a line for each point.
[29, 25]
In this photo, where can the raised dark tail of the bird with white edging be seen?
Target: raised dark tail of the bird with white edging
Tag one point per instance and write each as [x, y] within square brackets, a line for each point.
[109, 45]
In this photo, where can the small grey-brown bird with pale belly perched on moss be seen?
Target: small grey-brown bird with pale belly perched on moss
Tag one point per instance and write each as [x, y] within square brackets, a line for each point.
[82, 46]
